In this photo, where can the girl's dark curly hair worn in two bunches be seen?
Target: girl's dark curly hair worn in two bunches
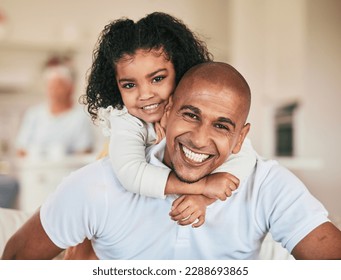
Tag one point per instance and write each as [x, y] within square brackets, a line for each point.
[123, 37]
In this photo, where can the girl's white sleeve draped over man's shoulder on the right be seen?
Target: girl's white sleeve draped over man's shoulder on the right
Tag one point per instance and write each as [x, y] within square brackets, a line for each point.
[240, 164]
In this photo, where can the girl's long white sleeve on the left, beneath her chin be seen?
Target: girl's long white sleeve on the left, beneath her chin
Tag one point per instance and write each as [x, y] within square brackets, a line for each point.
[127, 150]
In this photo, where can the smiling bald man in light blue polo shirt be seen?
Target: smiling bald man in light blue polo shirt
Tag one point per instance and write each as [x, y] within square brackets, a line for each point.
[208, 118]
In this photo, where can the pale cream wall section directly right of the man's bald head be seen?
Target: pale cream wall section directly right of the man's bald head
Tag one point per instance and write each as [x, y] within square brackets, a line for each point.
[268, 40]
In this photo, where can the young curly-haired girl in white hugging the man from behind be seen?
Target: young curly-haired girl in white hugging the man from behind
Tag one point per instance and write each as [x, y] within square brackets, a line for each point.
[135, 70]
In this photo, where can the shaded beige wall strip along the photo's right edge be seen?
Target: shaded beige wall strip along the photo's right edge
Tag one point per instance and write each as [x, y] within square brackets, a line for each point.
[322, 114]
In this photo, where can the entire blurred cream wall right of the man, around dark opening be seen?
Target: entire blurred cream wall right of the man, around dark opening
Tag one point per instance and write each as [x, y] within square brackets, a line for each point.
[290, 51]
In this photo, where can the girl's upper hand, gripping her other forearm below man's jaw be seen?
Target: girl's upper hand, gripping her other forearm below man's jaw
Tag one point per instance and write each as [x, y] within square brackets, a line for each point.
[220, 185]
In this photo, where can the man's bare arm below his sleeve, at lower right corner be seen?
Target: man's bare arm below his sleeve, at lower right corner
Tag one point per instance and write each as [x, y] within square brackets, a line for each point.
[323, 243]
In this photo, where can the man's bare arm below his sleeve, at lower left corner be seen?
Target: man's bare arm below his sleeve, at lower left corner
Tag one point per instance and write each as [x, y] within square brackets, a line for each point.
[31, 242]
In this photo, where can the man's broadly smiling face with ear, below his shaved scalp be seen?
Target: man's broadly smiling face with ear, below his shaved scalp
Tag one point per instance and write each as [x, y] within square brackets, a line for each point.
[205, 125]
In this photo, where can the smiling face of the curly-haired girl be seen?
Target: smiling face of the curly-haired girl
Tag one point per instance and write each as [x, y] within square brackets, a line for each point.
[146, 80]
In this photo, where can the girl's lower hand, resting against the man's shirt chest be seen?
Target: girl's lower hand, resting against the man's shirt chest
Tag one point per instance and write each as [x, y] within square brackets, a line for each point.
[187, 209]
